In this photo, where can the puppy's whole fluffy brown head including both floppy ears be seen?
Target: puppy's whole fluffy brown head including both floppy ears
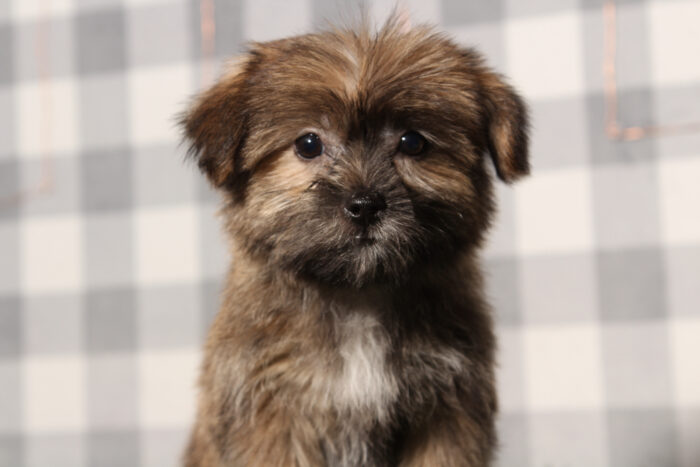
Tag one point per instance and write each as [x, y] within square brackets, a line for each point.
[351, 158]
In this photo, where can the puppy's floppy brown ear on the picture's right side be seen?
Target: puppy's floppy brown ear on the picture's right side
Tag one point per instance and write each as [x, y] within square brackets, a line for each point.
[507, 127]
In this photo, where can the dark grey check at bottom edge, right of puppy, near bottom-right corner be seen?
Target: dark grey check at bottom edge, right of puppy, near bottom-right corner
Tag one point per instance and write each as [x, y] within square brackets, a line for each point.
[643, 437]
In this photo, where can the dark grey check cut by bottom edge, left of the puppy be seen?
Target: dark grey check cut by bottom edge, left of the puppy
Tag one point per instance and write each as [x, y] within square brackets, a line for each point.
[114, 449]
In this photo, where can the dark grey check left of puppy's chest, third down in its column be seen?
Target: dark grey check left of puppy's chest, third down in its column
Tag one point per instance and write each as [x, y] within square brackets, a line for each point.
[110, 319]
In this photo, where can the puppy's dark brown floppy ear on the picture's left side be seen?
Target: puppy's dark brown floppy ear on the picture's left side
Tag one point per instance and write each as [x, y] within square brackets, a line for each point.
[215, 125]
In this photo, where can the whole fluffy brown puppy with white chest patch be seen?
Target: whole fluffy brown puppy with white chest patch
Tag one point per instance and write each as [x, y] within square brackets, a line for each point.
[353, 330]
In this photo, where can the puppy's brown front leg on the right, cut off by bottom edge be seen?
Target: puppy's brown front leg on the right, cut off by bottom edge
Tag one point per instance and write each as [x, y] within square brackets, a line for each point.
[448, 440]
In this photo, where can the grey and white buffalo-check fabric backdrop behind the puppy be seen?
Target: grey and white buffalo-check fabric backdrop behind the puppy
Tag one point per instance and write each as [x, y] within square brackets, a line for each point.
[109, 278]
